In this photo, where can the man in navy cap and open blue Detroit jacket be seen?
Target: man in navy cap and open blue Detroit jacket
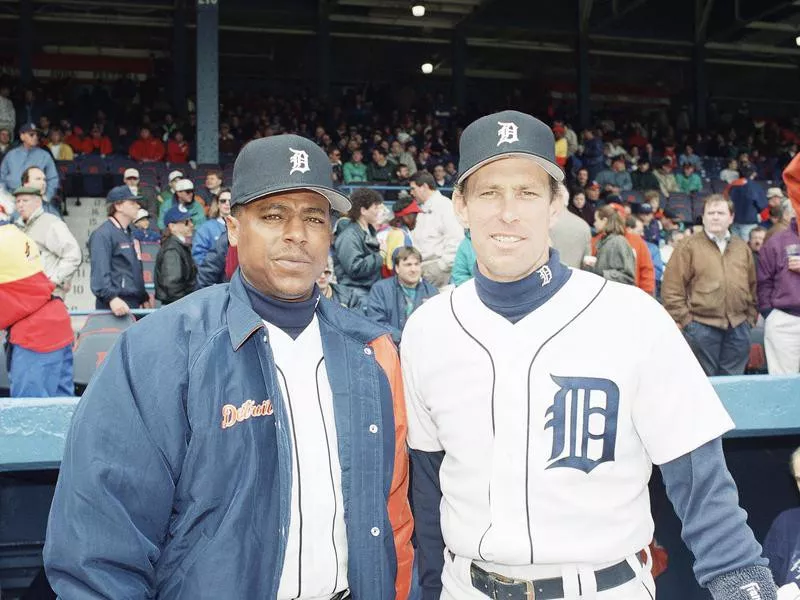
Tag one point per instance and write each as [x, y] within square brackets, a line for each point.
[247, 441]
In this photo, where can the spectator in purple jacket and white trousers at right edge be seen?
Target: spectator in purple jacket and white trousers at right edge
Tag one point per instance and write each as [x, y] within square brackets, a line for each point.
[779, 299]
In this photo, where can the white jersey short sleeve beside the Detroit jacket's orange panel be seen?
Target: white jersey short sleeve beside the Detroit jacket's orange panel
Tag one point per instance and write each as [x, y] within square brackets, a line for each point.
[422, 434]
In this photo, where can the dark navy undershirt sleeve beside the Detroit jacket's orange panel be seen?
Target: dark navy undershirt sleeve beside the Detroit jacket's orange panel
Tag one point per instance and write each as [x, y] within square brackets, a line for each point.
[426, 496]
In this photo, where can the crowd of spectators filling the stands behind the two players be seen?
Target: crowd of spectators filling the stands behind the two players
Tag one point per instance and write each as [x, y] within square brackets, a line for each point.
[693, 218]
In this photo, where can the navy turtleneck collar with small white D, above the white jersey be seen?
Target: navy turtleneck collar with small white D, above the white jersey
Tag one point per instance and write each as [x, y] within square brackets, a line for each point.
[515, 300]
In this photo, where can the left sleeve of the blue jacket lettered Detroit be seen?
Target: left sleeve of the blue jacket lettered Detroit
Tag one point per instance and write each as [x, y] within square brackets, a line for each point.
[113, 500]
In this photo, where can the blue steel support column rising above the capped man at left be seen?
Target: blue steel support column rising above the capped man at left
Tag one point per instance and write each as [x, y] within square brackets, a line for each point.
[207, 81]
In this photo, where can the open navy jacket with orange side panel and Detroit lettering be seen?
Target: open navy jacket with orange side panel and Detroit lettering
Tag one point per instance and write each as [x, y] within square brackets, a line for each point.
[155, 499]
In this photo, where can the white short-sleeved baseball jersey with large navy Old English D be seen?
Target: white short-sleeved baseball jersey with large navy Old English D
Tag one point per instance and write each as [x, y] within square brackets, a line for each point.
[550, 426]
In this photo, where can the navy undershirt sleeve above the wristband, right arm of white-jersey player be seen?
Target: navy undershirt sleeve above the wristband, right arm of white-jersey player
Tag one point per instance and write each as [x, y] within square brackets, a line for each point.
[705, 499]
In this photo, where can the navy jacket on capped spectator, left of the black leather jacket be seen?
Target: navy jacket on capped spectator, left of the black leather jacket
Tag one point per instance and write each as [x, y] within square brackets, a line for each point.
[116, 265]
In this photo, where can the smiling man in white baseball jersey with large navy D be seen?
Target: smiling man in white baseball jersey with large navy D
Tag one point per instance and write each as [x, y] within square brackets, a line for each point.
[533, 419]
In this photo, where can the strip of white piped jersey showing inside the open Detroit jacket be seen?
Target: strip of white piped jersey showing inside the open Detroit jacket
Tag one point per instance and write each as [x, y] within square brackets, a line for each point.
[315, 566]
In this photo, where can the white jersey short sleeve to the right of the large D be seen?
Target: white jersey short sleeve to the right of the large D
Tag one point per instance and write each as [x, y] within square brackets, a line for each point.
[675, 408]
